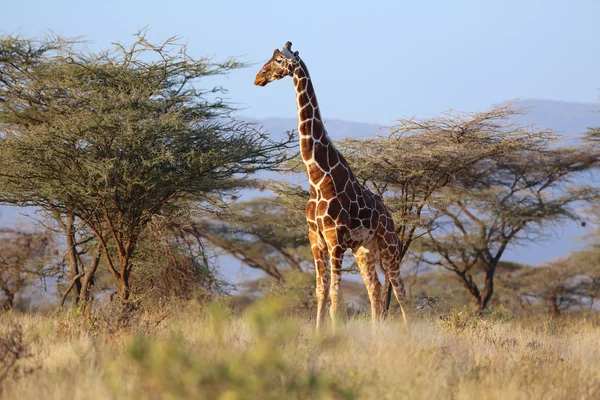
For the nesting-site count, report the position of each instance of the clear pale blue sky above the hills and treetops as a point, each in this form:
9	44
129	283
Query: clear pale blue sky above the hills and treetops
372	61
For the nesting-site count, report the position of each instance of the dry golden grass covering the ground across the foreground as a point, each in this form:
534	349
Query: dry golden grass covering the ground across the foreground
212	353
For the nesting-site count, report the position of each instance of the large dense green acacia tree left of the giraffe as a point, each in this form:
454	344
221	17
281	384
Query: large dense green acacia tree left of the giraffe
117	137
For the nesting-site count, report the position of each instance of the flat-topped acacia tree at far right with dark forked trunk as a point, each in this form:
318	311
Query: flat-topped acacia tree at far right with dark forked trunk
525	194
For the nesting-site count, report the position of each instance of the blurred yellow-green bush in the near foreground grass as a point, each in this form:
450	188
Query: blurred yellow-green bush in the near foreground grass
170	368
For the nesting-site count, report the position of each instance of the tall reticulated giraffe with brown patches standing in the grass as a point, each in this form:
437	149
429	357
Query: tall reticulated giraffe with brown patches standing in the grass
341	213
